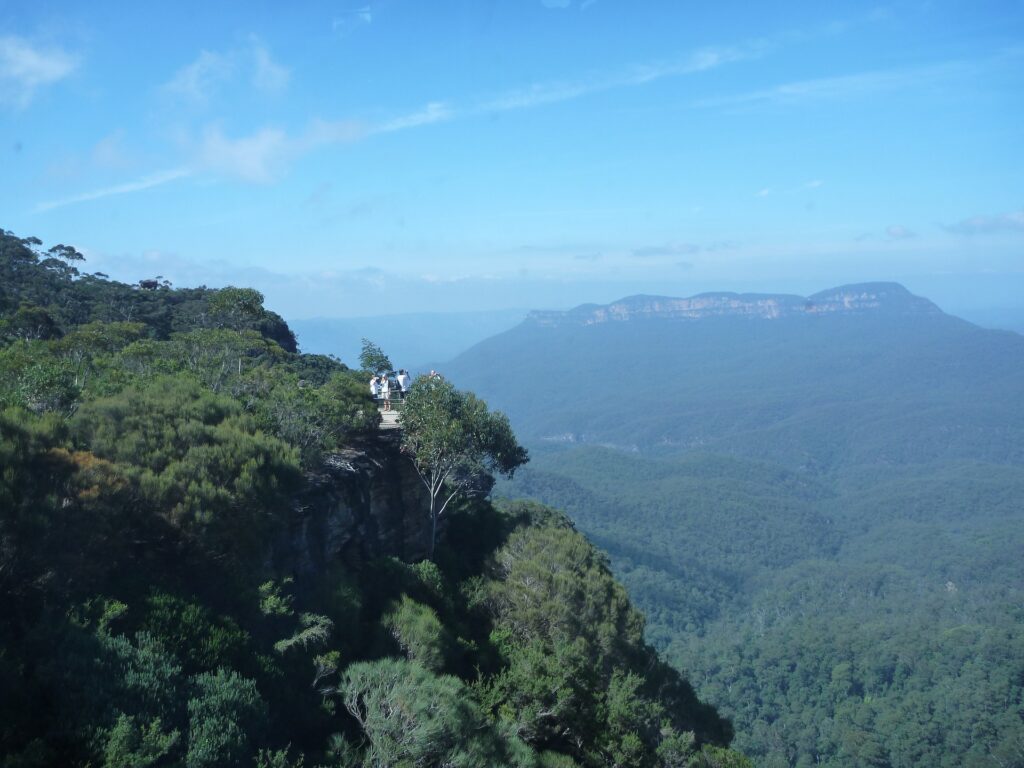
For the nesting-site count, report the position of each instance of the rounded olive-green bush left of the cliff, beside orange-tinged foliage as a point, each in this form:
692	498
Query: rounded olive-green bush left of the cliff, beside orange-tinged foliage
198	459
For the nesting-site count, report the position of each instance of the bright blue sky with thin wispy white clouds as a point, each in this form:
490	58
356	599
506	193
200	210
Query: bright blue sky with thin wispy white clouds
354	159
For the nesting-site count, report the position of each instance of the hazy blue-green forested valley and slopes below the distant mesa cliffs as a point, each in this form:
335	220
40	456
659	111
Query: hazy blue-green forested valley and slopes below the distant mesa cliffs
821	518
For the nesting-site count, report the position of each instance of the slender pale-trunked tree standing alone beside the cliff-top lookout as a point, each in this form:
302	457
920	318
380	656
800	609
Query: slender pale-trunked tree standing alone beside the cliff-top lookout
455	443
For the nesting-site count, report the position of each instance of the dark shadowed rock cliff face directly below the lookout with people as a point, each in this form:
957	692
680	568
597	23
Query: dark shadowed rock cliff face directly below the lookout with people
366	502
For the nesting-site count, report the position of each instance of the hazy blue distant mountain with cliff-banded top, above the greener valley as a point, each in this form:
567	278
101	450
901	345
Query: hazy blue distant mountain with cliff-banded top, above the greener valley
822	378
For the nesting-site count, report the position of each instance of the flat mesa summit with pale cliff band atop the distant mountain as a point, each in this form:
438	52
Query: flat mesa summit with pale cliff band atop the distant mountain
864	298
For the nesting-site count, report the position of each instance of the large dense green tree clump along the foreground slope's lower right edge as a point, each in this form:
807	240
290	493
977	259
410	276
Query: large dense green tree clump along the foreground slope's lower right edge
577	670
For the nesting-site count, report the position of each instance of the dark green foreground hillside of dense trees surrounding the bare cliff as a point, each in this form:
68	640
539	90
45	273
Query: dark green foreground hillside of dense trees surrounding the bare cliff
152	443
